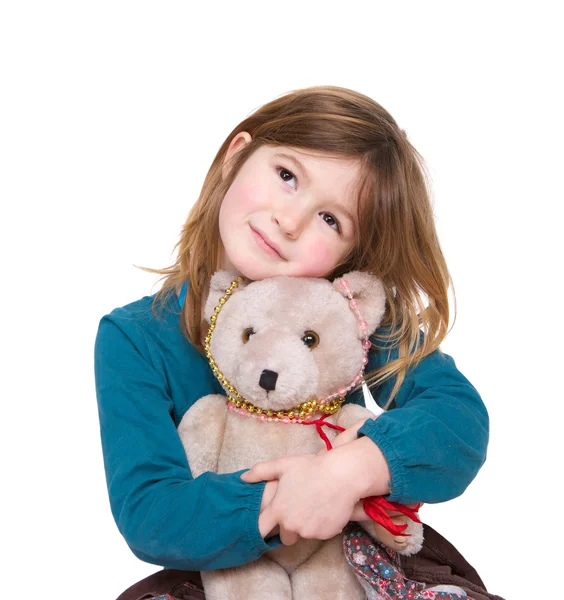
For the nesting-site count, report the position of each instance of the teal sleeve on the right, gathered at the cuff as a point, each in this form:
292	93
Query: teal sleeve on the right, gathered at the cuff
435	436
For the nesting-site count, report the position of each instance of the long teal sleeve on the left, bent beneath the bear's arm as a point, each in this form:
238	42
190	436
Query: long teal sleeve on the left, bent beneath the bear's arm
166	516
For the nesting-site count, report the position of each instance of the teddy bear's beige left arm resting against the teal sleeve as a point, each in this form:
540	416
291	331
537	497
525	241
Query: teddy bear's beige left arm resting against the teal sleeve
201	431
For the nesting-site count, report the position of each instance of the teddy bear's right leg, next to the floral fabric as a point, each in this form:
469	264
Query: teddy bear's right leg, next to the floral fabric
326	574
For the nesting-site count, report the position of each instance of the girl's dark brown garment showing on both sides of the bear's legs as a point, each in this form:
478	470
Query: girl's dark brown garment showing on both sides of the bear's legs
439	562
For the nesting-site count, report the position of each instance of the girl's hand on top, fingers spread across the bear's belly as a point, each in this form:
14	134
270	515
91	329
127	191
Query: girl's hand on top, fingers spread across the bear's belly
305	503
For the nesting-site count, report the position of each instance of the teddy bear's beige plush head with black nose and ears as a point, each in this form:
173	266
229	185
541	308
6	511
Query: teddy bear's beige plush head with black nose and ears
285	340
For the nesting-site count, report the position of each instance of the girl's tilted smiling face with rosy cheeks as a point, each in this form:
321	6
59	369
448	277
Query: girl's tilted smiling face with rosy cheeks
288	212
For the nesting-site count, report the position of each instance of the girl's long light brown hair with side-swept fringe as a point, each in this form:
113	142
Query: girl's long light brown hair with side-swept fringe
396	238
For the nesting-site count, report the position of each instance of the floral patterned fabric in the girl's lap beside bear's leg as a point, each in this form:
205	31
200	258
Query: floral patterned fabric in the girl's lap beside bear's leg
379	572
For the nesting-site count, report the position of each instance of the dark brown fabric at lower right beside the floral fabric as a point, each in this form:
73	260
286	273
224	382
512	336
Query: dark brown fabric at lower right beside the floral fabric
439	562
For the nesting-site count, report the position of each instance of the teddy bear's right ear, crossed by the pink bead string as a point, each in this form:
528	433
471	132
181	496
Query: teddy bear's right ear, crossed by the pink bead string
369	295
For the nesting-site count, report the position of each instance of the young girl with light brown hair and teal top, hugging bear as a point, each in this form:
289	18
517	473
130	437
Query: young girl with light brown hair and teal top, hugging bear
318	182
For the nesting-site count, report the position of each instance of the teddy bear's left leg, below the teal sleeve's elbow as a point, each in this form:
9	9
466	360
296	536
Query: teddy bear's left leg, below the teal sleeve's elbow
262	579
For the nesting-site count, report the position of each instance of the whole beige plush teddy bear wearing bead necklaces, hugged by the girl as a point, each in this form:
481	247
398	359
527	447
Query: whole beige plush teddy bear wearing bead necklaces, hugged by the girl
286	350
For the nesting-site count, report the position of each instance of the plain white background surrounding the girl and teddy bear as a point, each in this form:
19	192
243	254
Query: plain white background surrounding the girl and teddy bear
111	113
